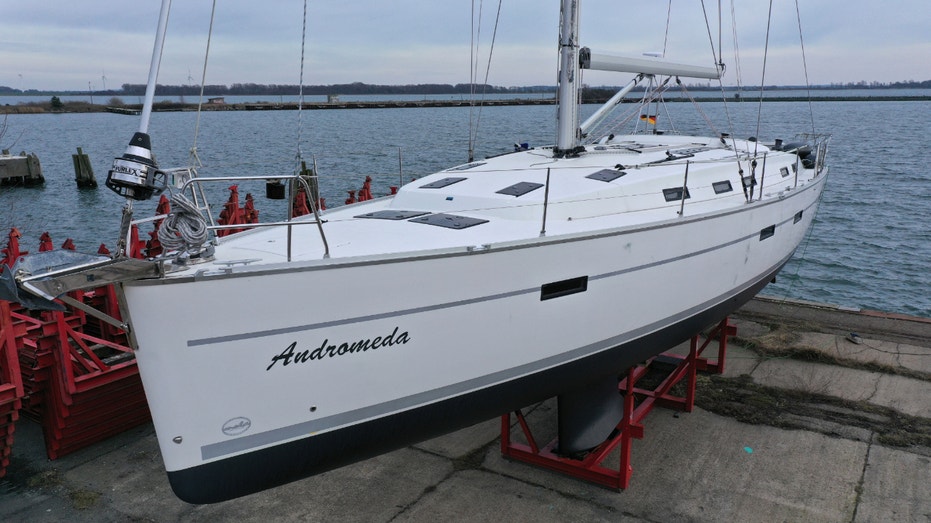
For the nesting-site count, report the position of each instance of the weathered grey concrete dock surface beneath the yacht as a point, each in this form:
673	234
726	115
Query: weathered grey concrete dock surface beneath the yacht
807	423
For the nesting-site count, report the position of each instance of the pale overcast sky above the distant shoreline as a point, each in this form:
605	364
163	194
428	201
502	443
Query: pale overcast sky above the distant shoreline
105	43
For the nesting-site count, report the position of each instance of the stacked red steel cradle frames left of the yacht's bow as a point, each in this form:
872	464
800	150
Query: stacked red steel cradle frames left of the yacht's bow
69	371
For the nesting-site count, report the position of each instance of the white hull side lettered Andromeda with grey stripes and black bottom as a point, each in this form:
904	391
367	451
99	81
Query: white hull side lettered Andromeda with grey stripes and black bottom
288	378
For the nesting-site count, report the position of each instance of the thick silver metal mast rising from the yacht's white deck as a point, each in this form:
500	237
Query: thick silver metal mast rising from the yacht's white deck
567	125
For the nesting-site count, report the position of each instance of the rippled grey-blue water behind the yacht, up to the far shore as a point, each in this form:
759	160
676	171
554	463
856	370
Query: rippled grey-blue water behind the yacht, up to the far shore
870	246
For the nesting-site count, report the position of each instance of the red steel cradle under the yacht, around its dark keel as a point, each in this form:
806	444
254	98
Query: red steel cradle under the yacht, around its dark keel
638	402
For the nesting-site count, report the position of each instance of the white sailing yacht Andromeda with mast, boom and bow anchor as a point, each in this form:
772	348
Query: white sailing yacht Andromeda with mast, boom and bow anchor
489	286
